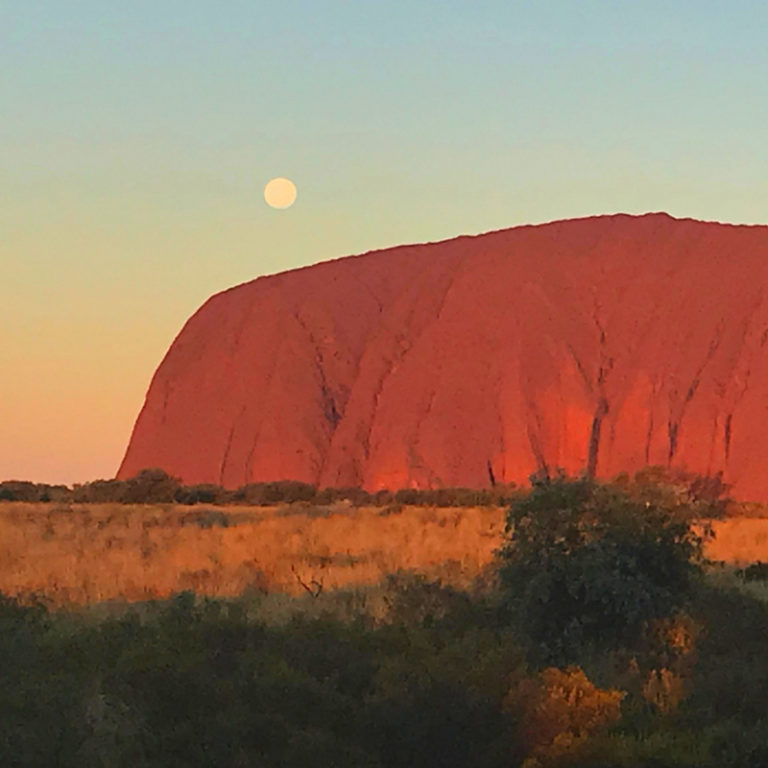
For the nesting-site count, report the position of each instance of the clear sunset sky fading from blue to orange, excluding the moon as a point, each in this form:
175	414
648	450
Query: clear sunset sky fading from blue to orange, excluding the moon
136	137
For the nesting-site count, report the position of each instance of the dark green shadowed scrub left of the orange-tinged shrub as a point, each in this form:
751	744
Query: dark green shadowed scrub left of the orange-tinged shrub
189	682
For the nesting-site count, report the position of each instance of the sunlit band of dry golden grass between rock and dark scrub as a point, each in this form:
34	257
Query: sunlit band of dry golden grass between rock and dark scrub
86	553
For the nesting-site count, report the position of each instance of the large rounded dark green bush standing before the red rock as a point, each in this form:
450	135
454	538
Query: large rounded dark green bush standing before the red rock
587	567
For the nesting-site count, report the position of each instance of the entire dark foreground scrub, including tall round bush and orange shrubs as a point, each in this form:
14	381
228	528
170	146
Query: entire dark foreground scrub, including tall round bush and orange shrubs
598	636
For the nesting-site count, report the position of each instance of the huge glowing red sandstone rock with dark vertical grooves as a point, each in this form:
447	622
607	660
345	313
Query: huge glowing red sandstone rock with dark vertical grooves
606	344
